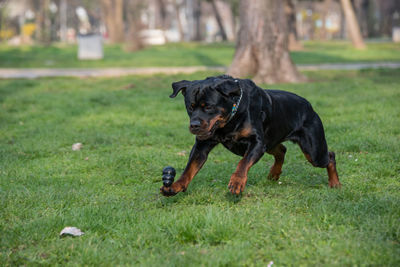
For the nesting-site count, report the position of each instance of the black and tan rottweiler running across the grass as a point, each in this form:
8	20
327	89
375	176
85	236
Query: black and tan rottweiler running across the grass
249	121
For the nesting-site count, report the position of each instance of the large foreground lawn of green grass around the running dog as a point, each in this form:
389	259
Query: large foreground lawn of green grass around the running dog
130	130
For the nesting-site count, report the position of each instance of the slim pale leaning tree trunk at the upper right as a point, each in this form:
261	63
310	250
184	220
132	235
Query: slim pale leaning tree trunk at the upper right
352	25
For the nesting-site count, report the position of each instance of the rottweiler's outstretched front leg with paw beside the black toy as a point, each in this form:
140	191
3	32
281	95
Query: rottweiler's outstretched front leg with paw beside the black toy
197	158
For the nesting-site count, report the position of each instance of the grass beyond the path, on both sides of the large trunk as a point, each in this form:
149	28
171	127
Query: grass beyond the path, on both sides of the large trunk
187	54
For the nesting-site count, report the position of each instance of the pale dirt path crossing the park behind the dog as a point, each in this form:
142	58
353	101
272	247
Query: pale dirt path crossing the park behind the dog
7	73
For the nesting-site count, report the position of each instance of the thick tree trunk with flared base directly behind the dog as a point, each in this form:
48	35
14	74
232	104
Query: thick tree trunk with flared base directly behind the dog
262	44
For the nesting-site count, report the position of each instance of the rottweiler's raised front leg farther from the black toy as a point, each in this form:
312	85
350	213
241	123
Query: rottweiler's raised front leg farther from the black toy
239	177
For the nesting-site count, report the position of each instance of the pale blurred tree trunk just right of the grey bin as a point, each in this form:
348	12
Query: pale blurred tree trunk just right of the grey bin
113	17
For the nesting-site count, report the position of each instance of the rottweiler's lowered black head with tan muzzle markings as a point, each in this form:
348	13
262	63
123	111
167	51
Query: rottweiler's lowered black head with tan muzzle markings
208	103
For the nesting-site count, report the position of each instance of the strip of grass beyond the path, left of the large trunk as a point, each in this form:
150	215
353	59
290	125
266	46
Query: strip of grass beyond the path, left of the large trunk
170	55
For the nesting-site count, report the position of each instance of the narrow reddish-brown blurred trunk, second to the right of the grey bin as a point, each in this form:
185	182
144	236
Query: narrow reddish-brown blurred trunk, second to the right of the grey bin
134	41
